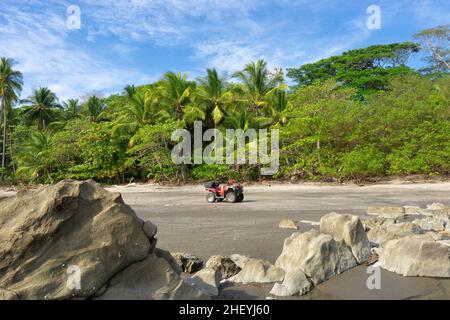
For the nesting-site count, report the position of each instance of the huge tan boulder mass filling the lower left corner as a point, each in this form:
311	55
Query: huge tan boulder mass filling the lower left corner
77	240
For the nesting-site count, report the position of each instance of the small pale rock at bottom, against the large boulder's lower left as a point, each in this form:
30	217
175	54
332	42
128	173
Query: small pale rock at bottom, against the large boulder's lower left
294	283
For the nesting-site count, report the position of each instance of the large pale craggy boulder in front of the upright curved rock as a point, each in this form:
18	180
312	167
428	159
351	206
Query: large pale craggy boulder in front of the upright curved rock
319	256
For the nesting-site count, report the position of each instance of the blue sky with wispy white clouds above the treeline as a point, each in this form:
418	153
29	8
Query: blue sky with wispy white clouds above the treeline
135	41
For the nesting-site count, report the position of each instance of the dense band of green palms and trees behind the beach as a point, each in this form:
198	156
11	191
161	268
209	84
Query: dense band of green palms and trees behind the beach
362	114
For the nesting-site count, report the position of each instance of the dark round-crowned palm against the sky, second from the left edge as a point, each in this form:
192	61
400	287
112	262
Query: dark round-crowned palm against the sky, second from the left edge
43	107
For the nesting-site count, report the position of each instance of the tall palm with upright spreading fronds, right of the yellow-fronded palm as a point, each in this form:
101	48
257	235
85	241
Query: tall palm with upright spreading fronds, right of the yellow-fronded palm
258	82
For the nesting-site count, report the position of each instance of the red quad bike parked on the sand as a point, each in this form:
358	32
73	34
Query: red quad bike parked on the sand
230	192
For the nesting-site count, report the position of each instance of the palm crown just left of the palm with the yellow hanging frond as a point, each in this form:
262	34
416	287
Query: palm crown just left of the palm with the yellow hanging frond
173	92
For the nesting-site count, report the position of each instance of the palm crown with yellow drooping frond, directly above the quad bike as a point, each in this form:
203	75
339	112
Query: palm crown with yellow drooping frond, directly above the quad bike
213	91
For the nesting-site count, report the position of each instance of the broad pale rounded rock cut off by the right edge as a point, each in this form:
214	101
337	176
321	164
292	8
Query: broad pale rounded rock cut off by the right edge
414	256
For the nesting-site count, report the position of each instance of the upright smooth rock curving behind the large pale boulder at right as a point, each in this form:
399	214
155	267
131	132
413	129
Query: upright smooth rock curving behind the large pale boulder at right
348	228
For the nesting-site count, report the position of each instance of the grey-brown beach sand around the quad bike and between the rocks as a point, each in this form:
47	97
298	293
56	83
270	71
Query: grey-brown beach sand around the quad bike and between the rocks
186	223
